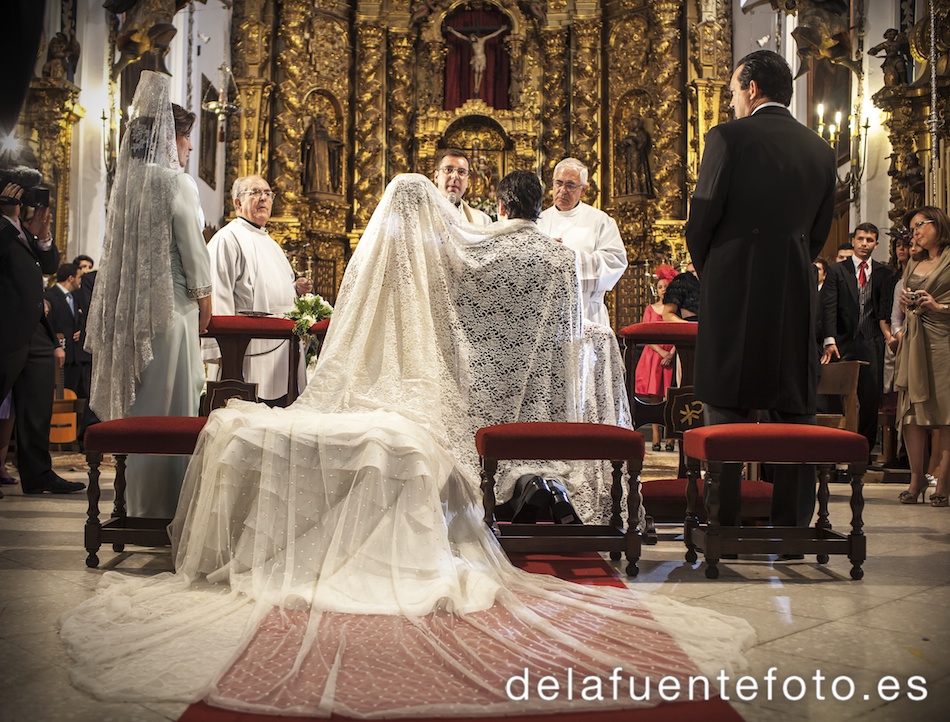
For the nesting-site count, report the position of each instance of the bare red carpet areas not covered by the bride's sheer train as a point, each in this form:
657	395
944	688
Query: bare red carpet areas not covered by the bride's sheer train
587	568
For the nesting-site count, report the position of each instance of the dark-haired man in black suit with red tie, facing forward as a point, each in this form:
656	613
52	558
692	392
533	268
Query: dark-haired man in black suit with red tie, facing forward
851	303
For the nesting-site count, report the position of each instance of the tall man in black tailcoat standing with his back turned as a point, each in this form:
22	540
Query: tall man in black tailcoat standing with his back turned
759	217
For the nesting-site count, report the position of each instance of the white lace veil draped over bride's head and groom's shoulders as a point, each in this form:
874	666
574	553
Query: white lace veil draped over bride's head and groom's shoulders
451	325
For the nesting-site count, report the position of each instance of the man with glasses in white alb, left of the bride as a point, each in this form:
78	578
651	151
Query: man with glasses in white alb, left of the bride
250	272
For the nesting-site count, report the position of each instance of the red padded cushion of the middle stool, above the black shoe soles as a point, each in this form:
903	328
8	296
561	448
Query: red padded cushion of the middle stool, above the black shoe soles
559	440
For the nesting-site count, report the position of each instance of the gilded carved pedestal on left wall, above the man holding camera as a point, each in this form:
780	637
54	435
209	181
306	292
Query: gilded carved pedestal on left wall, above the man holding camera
50	112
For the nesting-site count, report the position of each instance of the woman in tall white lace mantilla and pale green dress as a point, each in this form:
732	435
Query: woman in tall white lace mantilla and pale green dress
153	290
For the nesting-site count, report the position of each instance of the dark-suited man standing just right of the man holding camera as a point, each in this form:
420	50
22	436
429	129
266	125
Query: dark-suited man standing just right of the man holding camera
66	319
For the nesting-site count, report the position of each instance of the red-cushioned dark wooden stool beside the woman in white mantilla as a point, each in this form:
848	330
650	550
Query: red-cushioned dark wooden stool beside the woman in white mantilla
172	435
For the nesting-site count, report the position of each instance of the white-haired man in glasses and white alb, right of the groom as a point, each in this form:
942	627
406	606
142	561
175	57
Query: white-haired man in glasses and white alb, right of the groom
590	233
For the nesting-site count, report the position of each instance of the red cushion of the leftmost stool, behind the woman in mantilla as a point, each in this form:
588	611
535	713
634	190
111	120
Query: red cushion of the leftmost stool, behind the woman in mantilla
146	435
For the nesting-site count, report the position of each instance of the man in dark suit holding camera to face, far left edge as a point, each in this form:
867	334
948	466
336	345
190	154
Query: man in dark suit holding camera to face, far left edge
29	352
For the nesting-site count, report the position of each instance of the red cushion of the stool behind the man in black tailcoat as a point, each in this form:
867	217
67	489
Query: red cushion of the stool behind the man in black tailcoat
780	443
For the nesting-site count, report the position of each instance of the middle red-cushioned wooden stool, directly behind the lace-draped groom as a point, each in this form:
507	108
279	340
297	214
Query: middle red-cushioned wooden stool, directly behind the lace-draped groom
568	442
